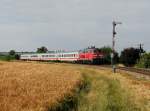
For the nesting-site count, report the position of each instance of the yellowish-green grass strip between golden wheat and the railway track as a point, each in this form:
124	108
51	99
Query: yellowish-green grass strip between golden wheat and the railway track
105	94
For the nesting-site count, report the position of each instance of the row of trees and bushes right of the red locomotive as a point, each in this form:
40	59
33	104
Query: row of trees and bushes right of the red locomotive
135	57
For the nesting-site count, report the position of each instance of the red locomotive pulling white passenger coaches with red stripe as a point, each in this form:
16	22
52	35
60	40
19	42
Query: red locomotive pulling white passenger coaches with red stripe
87	56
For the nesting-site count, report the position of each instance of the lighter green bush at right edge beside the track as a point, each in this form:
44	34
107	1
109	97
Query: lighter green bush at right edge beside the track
144	61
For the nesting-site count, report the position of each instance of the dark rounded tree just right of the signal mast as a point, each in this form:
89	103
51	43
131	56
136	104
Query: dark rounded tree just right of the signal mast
129	56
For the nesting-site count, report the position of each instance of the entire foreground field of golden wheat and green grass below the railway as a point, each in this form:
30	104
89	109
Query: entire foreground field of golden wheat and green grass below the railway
32	86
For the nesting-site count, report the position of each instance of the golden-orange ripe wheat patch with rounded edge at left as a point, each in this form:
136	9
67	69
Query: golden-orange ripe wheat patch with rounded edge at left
34	87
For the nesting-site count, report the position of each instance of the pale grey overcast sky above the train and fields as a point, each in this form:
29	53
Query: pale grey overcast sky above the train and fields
26	25
